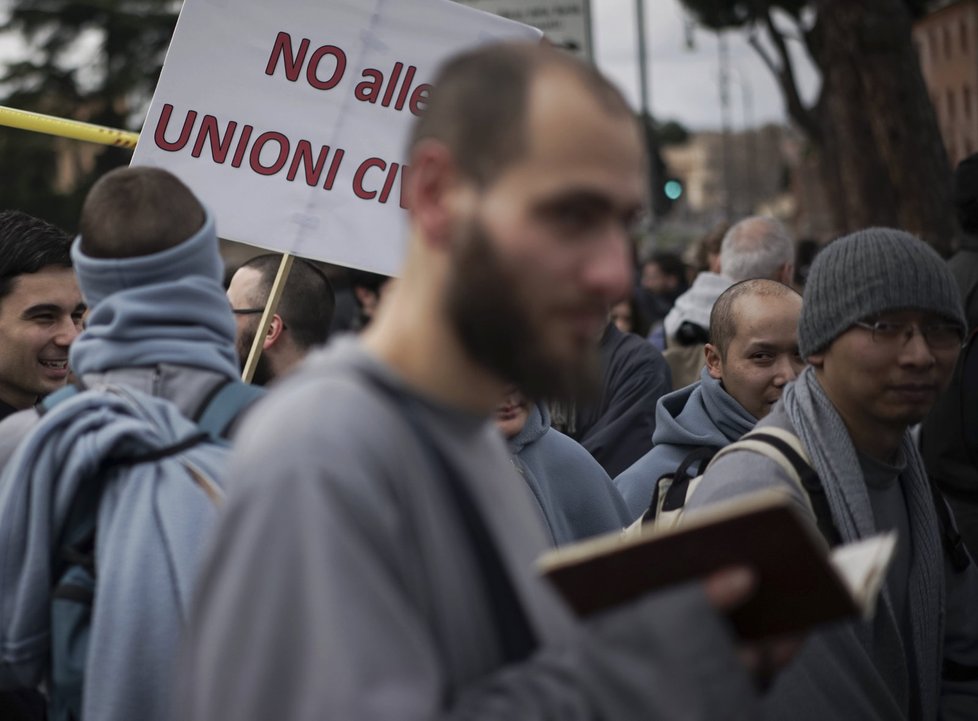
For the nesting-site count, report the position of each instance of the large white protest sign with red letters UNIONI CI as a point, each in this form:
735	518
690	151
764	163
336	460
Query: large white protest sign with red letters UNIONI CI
289	119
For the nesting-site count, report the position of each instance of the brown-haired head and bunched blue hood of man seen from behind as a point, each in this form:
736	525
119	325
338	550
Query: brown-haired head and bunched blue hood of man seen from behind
148	265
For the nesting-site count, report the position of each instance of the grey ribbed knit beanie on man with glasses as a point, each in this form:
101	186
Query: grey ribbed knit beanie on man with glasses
869	272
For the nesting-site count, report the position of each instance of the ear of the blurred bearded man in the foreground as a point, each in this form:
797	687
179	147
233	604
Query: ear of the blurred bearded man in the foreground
432	180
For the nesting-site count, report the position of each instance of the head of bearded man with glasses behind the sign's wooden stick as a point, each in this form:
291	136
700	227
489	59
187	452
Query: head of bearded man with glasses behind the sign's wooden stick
302	319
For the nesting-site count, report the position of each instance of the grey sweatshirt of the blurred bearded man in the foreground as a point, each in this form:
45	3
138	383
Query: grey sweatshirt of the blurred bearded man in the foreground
343	585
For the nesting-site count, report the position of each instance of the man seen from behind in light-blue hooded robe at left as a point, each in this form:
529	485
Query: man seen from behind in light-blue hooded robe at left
148	266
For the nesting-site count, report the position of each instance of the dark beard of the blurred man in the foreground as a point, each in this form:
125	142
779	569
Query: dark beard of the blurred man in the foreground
494	322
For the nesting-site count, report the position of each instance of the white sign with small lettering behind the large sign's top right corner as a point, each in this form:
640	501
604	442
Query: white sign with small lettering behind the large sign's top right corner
566	23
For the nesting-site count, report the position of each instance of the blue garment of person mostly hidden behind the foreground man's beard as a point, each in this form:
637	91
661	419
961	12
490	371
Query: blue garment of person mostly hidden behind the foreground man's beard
572	491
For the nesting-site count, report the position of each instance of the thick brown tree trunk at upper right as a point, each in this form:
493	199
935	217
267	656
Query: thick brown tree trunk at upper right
880	125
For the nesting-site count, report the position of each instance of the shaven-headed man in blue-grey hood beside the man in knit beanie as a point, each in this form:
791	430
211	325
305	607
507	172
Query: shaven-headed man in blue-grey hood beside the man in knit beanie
751	356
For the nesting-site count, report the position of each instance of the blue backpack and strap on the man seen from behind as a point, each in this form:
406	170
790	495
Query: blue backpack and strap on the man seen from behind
75	573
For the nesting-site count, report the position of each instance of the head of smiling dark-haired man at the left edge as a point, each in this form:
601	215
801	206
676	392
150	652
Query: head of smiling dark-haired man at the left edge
41	310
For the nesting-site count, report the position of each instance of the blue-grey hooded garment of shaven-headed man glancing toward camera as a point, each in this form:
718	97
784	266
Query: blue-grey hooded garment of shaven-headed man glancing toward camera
702	414
